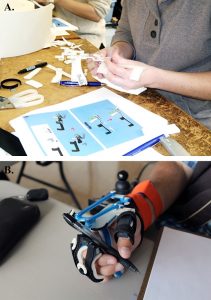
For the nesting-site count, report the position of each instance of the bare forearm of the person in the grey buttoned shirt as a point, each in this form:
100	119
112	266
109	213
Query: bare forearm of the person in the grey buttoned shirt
194	85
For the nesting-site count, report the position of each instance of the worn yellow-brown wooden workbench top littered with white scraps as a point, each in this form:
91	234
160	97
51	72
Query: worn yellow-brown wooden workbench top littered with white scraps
194	137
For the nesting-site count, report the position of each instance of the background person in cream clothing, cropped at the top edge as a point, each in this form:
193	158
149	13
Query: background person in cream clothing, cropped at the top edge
87	15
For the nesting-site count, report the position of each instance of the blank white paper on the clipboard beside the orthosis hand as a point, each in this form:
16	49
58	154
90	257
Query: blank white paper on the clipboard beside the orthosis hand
182	268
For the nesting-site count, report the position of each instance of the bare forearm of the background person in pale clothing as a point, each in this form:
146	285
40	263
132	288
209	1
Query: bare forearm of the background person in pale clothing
83	10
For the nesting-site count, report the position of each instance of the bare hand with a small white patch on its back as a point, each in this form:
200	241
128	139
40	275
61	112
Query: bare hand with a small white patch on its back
129	74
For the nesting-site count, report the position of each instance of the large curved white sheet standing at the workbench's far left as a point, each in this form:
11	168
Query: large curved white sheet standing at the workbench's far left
24	32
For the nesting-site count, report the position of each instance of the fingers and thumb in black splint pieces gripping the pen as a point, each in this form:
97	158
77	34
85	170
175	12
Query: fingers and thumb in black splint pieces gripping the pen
123	233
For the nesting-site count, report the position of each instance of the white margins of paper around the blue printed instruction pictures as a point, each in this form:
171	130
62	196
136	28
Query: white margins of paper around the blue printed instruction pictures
152	124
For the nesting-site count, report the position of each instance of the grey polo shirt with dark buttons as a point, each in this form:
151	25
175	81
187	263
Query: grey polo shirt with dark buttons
174	35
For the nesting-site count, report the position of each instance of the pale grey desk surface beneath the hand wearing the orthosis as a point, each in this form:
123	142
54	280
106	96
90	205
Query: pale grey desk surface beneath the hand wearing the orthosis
41	267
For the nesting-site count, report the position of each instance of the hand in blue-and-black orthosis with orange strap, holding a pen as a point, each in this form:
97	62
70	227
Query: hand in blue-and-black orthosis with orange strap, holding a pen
110	235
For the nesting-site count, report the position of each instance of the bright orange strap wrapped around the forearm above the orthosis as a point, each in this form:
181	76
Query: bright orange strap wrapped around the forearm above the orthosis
146	188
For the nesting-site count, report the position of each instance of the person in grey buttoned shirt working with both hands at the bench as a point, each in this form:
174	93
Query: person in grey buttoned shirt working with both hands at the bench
168	45
